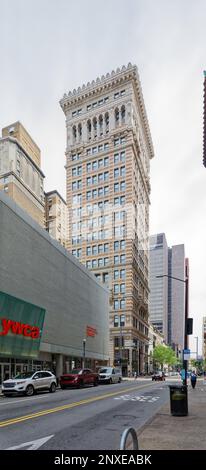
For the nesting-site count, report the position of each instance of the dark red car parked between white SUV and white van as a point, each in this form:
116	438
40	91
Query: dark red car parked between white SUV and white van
78	378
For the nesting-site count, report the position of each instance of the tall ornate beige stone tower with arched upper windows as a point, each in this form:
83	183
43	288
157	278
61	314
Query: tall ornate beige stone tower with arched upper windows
108	154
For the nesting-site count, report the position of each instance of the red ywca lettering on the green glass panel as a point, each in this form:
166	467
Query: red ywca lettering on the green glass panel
19	328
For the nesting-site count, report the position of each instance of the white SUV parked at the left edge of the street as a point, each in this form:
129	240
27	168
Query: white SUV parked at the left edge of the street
29	383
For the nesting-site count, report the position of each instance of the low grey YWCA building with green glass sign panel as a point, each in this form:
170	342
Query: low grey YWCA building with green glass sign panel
52	303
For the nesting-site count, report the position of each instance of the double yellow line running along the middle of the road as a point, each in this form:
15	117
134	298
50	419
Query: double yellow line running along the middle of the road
20	419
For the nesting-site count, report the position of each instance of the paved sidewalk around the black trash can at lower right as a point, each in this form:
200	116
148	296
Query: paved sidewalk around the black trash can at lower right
165	431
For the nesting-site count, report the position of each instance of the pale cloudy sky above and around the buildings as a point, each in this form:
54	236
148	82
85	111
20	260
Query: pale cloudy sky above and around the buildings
48	47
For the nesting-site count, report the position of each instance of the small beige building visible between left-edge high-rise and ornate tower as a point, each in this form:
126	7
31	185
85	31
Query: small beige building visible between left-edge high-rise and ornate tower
56	216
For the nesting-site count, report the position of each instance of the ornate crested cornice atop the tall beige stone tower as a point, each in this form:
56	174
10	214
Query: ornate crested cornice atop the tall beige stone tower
104	84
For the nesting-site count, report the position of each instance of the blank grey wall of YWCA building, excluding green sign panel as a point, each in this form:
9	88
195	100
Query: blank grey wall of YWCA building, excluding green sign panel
37	269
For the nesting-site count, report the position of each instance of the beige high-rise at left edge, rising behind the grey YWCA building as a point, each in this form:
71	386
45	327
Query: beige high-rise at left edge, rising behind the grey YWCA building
21	177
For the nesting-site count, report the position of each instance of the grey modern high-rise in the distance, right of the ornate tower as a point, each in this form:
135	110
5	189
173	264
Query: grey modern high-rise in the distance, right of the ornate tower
167	295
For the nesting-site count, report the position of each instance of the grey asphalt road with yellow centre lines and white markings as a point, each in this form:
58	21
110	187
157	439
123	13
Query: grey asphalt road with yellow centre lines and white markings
90	418
